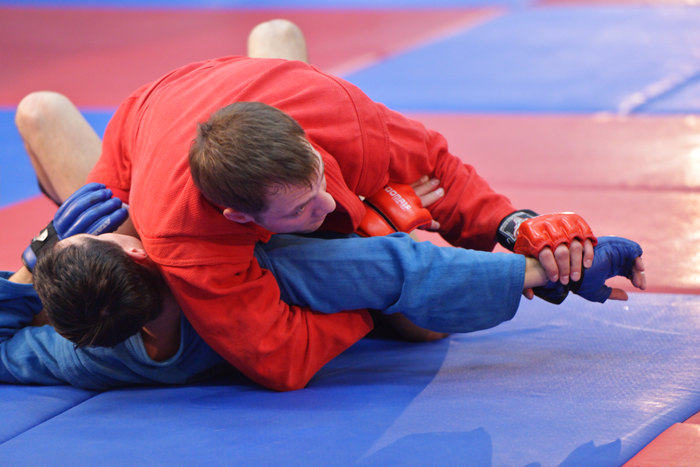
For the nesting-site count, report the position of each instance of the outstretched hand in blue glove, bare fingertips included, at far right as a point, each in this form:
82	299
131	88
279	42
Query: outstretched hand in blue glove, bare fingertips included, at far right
614	256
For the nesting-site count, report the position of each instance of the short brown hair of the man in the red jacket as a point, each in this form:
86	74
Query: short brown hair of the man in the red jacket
248	150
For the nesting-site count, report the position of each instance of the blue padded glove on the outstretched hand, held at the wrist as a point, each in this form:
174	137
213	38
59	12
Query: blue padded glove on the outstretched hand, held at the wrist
614	256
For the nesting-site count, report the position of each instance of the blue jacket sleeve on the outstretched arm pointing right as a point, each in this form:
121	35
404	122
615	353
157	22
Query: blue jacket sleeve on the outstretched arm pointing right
442	289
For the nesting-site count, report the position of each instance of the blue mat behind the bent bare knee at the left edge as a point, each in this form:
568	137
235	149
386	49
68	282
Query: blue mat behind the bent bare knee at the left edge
17	179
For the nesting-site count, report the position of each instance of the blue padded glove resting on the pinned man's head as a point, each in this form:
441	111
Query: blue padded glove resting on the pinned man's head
90	210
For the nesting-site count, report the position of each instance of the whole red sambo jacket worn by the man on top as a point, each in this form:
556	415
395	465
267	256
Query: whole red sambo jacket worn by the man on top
208	261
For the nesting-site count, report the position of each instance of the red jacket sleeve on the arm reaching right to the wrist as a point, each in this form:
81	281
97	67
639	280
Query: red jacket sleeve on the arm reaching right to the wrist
373	145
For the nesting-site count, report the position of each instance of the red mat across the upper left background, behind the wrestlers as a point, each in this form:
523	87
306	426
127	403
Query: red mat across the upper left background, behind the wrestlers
99	56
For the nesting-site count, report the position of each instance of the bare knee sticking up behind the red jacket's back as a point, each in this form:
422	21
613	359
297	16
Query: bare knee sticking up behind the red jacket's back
278	38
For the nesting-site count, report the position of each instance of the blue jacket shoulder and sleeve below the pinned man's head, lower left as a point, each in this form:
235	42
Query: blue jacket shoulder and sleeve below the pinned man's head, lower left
38	355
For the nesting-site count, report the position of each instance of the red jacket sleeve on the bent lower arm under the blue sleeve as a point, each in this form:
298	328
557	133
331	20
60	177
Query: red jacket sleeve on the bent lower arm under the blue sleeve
238	308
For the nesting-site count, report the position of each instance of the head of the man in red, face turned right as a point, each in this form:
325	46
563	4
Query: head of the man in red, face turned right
255	162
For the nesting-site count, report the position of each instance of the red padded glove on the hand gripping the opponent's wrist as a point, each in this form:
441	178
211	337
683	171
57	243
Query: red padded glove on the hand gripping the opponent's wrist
551	230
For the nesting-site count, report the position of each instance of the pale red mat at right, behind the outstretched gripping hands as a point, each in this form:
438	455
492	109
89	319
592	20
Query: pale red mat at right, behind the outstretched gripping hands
636	177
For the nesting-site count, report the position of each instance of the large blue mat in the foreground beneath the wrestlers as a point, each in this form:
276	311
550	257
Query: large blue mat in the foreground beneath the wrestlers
576	385
